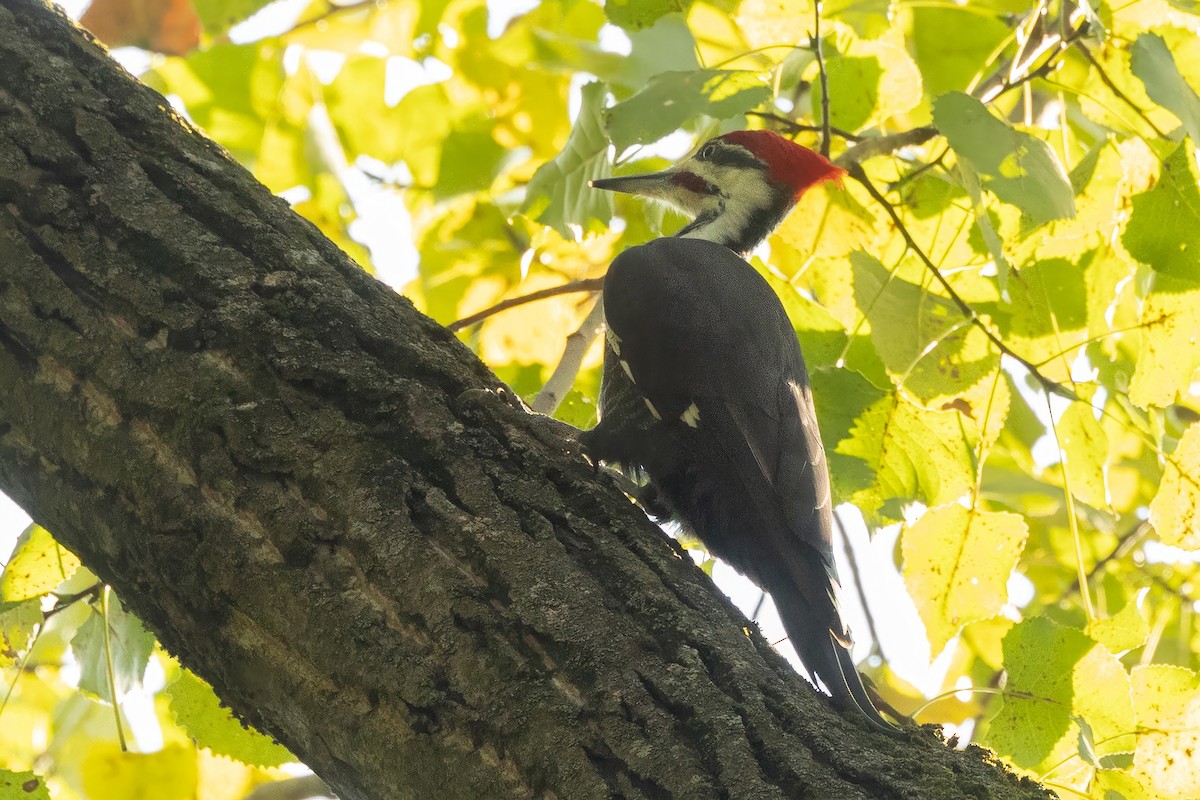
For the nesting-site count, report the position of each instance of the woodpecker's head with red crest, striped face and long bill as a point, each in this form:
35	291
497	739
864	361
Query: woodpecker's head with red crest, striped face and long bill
739	187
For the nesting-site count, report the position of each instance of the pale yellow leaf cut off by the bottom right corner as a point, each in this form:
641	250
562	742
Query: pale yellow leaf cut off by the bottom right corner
1167	706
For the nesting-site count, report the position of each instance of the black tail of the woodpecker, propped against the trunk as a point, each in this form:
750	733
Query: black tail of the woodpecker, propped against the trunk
826	658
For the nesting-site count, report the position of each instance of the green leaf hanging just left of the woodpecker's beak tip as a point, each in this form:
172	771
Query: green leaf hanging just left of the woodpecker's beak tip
559	195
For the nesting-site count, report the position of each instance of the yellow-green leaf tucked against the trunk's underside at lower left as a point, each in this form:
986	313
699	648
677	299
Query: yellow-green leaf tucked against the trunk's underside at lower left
200	713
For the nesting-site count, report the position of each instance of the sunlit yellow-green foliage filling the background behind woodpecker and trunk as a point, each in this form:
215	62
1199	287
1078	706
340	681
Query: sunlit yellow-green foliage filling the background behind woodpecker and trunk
1000	309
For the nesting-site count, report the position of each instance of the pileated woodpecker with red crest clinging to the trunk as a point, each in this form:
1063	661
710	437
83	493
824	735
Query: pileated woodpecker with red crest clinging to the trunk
706	394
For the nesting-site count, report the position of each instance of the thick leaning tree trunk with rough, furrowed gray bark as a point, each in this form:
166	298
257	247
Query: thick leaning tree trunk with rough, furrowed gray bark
291	476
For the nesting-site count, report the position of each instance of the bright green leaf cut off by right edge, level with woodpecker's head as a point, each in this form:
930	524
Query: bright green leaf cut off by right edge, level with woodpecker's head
1165	225
